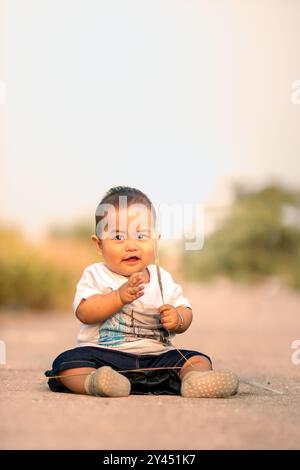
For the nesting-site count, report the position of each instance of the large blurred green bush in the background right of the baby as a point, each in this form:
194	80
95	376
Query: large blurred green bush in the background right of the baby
253	241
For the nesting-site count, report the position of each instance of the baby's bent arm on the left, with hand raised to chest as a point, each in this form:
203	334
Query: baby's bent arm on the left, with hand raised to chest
97	308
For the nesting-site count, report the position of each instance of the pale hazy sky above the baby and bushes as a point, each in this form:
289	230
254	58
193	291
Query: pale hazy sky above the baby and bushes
176	98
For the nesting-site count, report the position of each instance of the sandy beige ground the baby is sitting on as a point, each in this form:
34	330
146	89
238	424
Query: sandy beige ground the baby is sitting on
247	329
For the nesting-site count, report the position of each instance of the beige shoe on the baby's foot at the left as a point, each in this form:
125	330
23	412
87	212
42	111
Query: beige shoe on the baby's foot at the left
106	382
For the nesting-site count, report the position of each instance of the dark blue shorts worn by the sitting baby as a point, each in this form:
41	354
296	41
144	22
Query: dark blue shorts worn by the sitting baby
158	382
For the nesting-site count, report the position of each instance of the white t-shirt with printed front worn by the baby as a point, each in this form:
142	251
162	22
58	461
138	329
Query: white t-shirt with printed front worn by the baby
136	327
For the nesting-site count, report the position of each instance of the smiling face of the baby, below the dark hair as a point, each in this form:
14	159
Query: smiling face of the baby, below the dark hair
127	243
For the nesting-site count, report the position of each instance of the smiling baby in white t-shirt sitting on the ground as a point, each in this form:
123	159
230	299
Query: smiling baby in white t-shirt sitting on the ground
129	310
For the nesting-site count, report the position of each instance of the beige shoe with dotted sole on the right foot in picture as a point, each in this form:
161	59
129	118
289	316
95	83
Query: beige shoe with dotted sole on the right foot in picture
211	384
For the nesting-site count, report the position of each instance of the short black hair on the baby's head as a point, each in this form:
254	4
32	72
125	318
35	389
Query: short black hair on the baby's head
133	195
